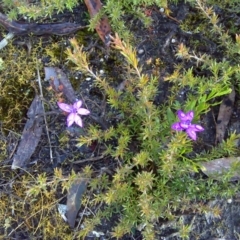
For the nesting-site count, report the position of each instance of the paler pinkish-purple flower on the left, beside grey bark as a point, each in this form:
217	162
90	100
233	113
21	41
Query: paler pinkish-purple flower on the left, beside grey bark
73	111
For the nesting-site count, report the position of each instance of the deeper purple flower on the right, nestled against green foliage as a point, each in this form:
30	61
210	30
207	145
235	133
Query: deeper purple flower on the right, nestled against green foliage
186	125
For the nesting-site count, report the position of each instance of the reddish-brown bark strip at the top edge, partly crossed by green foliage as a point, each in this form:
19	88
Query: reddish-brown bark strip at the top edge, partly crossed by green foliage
103	27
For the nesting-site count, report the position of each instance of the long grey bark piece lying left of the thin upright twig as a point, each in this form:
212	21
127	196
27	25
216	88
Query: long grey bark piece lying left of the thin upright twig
31	134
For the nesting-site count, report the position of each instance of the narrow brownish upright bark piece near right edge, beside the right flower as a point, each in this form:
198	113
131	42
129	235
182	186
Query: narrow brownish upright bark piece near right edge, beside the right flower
224	115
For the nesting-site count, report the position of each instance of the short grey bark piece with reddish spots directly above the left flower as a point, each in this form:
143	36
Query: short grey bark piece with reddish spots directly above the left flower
60	83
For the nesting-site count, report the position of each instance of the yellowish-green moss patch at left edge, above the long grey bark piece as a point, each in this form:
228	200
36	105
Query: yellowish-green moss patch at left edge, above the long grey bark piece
15	81
